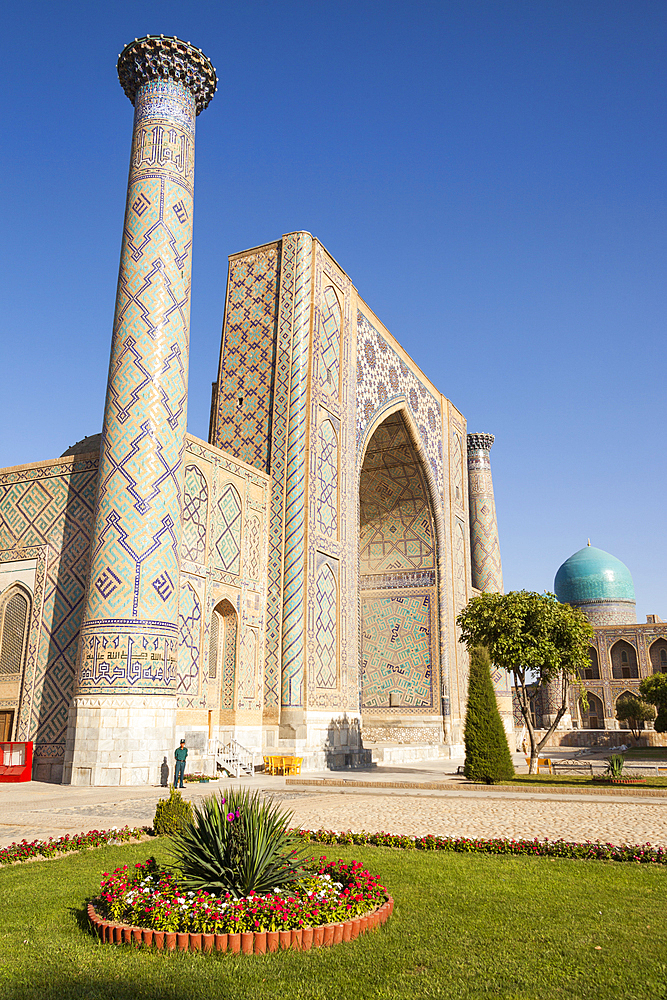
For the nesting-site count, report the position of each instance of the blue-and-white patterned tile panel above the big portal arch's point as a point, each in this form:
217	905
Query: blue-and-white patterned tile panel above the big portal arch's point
382	376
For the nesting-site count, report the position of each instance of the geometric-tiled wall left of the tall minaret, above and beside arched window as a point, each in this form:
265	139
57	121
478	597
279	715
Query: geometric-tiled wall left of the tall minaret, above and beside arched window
48	513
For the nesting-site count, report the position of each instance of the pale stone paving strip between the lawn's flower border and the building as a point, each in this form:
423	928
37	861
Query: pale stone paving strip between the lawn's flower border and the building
468	814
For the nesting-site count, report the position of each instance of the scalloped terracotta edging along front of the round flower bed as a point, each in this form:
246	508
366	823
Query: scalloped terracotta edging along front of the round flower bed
244	942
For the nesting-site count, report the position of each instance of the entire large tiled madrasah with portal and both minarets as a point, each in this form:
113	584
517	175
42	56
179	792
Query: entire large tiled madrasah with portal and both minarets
288	584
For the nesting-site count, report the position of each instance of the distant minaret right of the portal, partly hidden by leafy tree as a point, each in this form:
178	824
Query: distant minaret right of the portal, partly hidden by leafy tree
487	570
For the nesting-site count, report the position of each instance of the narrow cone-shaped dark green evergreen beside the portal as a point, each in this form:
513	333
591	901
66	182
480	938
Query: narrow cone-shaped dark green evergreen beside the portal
488	757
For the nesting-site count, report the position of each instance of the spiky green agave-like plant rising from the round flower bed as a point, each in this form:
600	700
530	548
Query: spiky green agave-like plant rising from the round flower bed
237	843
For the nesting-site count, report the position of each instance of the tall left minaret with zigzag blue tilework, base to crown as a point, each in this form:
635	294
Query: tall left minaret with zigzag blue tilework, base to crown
123	715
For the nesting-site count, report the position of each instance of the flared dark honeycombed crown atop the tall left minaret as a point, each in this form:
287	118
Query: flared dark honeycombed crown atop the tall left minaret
157	58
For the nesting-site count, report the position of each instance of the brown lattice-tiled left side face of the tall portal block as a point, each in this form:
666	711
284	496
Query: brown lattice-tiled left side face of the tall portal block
242	420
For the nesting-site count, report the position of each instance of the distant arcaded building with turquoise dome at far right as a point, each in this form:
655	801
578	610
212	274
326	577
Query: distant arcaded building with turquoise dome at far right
623	651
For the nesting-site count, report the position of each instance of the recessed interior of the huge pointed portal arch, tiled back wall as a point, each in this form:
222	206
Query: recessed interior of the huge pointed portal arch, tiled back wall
398	587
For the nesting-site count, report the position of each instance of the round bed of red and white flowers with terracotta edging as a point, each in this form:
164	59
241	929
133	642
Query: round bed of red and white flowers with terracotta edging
148	904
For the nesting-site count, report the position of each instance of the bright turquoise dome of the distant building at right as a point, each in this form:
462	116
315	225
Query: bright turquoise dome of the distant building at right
593	575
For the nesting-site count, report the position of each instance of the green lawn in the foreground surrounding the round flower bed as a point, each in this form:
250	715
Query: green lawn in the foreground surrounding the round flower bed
464	926
